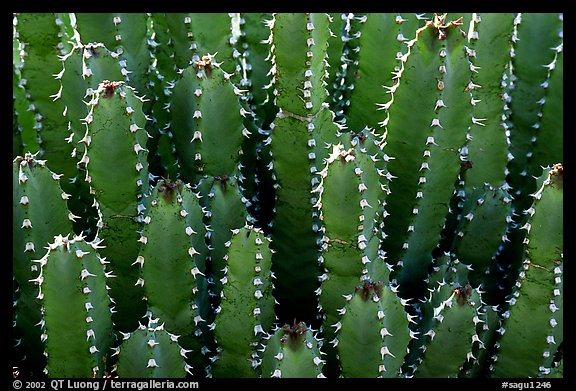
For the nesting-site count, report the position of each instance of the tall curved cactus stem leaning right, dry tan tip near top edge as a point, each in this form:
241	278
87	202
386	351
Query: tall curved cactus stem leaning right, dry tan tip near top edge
431	161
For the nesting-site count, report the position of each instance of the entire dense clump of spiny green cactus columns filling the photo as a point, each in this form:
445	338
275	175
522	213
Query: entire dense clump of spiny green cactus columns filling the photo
288	195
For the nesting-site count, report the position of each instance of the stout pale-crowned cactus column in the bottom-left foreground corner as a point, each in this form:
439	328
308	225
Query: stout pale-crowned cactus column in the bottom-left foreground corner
76	322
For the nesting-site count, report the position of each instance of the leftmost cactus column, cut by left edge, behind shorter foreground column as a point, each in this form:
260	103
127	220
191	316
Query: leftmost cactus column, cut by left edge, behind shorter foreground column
40	212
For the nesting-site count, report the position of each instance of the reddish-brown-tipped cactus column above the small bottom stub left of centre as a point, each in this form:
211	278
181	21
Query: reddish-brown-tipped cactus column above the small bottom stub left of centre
170	243
